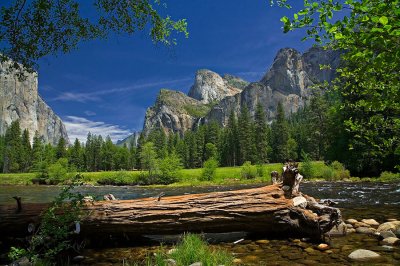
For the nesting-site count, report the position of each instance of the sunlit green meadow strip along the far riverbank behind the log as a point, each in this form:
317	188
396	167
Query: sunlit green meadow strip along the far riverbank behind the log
192	177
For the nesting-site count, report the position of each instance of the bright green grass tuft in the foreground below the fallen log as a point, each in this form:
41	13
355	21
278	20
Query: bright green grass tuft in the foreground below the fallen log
193	248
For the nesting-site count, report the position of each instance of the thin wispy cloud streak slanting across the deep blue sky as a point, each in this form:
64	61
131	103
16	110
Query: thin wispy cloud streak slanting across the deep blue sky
96	95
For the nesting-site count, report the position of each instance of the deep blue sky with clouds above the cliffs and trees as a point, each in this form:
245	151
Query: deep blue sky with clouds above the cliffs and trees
105	86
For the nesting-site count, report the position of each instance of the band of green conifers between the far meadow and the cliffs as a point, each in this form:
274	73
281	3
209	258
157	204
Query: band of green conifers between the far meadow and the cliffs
315	132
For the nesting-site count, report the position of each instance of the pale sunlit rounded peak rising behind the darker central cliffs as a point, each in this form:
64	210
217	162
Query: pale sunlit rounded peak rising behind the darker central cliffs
209	87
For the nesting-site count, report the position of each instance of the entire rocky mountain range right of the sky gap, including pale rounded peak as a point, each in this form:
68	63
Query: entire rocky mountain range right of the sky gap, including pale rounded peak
212	97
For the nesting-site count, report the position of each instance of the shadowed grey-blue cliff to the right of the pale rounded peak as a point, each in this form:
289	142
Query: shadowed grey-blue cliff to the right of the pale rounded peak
289	81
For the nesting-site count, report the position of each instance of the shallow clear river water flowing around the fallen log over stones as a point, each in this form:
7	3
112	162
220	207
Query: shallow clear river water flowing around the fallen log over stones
380	201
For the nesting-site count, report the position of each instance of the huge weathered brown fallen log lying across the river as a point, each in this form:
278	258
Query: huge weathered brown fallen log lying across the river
261	210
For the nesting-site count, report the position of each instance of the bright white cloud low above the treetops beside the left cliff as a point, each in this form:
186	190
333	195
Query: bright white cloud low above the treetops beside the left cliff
79	127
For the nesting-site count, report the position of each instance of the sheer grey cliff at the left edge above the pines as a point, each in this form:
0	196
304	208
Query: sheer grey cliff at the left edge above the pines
20	100
